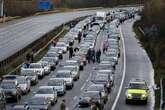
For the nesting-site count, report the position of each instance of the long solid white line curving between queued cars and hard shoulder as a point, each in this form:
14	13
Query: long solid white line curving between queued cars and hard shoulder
124	70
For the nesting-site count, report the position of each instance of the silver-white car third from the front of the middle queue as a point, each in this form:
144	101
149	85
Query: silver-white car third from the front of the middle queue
58	84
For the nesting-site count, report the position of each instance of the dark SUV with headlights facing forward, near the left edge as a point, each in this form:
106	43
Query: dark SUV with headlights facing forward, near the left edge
11	90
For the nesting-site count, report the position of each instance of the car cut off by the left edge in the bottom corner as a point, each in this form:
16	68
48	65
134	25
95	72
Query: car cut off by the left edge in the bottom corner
2	100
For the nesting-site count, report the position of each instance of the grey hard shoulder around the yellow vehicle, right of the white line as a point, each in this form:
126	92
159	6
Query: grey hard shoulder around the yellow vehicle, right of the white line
138	65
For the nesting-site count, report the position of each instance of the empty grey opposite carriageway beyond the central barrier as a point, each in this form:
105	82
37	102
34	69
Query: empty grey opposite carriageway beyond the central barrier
15	36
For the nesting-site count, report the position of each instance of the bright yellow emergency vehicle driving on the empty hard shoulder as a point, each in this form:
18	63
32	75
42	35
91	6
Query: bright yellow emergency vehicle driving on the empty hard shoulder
137	90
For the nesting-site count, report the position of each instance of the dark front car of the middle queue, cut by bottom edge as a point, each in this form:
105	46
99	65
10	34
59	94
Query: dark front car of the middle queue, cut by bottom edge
39	103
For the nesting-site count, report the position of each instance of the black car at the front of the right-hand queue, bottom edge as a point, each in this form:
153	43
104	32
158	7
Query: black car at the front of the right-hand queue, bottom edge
89	98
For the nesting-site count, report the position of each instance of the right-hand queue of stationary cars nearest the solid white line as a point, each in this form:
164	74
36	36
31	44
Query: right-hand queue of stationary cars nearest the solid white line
102	80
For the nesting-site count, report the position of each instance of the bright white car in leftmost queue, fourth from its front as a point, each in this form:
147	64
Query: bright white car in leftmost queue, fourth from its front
37	67
